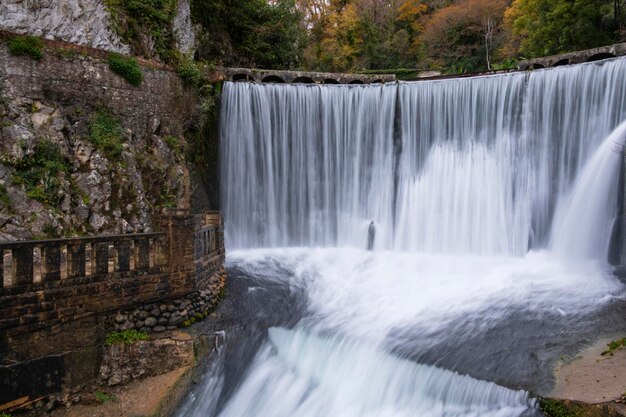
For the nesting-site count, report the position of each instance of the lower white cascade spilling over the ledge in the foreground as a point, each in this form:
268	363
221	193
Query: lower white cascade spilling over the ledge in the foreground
299	374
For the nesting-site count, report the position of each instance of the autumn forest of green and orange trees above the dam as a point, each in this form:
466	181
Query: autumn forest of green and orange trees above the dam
404	36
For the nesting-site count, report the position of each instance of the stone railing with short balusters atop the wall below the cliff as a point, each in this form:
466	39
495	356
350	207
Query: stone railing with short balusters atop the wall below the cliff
40	261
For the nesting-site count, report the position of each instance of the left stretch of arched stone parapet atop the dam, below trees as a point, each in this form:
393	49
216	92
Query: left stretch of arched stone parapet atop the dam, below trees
295	77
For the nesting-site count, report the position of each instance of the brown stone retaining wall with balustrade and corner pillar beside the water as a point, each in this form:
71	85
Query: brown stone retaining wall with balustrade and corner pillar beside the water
57	305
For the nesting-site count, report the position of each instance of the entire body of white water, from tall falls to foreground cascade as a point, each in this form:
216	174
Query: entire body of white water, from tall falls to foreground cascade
493	200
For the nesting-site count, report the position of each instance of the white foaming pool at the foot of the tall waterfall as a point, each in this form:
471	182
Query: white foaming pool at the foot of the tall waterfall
369	294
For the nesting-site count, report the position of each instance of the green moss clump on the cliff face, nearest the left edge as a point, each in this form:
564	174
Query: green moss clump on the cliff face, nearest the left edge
42	173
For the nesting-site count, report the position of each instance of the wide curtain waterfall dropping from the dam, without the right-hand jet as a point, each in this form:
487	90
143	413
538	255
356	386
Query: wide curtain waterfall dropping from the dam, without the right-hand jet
465	166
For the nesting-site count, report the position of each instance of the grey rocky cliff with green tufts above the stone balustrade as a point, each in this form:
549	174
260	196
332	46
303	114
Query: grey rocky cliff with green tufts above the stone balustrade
82	151
